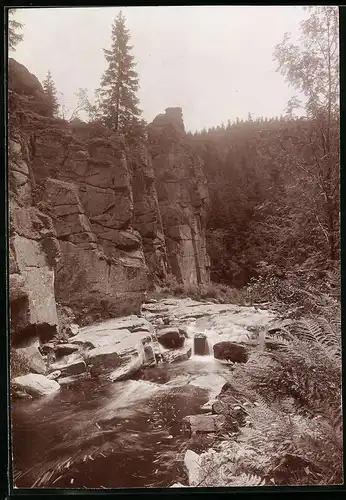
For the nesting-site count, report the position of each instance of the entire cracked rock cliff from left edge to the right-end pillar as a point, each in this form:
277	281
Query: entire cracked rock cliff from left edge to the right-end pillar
93	223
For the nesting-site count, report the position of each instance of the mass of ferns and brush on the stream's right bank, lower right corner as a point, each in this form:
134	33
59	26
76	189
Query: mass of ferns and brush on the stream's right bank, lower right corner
294	431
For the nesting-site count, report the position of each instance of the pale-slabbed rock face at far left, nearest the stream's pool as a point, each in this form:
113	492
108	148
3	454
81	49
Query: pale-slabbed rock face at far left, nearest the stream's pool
33	253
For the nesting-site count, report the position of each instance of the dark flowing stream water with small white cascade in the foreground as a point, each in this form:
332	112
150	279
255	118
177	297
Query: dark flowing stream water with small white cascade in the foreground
112	435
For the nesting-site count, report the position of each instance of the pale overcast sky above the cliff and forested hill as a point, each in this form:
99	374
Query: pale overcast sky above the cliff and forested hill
213	61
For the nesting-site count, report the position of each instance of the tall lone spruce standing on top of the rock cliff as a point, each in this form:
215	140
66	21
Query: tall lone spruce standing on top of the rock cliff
118	101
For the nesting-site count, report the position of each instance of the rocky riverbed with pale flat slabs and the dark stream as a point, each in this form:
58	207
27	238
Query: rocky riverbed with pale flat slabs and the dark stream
166	404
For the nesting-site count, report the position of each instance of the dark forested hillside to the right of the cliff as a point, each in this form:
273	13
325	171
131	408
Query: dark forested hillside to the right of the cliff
271	204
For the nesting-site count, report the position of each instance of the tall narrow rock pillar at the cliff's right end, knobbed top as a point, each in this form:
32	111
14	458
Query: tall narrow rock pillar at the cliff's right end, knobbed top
182	197
